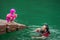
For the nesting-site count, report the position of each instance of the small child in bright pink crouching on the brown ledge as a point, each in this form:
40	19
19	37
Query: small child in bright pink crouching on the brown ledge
11	16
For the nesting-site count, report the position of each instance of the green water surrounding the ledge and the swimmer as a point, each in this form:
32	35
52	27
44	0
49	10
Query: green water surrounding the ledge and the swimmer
33	13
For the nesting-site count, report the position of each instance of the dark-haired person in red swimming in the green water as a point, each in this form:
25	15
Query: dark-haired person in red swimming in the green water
44	32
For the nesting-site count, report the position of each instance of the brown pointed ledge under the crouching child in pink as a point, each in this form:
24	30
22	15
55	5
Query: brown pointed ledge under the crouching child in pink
10	27
